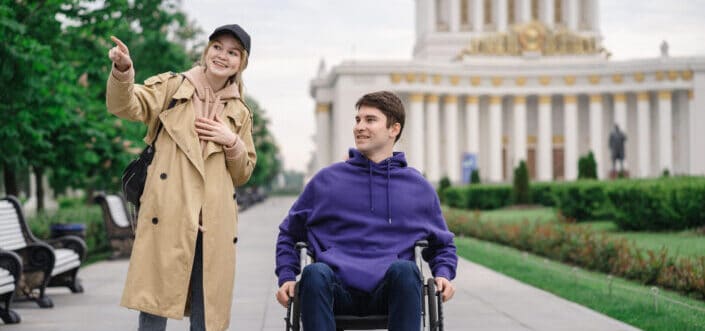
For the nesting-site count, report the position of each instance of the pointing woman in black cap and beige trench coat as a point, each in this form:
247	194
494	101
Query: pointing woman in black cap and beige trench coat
183	257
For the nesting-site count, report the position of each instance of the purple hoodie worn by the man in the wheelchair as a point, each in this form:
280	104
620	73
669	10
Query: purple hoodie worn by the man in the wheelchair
359	216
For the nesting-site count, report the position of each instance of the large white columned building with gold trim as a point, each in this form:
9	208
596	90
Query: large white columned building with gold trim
511	80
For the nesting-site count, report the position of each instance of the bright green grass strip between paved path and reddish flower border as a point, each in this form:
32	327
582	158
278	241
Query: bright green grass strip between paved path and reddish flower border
629	301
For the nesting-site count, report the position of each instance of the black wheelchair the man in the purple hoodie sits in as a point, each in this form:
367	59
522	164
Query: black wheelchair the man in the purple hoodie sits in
431	303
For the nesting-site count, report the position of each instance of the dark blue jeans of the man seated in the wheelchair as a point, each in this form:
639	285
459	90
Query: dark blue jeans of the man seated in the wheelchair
398	296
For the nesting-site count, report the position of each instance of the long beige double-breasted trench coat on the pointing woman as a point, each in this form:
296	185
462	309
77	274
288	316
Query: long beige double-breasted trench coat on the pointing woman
181	183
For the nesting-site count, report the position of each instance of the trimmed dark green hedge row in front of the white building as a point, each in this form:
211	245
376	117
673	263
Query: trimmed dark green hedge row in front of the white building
652	204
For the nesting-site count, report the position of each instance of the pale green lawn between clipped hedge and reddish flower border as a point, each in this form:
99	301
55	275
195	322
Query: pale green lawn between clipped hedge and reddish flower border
678	244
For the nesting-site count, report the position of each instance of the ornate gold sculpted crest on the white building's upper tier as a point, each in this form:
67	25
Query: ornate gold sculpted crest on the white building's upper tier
533	37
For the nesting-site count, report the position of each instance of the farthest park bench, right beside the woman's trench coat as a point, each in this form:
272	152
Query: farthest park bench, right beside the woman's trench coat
117	218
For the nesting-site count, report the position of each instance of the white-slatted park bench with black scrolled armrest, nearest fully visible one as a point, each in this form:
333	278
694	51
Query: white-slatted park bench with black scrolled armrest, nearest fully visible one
53	263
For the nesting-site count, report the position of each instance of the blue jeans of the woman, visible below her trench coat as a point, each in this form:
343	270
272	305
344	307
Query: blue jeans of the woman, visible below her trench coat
149	322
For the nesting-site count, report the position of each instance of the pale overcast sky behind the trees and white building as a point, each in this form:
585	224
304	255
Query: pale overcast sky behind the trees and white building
289	38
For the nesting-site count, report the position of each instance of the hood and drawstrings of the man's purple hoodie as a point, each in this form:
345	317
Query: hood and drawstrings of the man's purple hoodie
384	168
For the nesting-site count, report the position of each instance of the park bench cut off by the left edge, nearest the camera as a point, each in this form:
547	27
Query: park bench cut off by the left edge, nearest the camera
10	273
